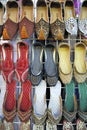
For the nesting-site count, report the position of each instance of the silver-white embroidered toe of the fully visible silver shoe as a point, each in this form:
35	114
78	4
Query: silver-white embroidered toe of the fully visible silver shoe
71	26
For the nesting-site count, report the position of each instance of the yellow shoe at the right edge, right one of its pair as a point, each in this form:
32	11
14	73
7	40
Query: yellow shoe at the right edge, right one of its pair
80	73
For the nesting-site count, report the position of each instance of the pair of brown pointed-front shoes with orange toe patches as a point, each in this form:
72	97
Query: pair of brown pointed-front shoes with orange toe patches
17	20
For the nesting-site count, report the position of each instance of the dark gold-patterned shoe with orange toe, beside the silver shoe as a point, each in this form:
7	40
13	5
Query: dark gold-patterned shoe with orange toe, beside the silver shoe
56	21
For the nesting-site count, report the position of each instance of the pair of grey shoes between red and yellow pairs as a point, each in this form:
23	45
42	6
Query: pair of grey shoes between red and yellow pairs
50	65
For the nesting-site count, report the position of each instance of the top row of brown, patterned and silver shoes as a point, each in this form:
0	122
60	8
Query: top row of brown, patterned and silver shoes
24	20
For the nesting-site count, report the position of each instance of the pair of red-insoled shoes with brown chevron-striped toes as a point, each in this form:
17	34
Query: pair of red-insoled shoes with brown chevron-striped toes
24	105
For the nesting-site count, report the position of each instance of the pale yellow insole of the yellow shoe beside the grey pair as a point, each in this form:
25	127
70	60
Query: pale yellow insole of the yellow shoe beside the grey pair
64	59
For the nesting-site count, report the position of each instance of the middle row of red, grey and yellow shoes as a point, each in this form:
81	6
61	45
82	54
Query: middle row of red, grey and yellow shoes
44	63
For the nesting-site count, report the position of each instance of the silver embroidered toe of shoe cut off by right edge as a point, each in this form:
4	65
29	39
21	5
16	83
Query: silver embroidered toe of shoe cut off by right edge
83	26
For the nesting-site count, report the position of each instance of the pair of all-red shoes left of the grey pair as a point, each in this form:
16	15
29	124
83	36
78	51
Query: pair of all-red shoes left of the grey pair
22	63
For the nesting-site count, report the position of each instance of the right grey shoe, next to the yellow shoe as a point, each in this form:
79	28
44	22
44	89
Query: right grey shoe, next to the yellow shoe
50	64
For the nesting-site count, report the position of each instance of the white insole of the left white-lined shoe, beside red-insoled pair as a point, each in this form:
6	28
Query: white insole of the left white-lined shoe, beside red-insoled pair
39	103
